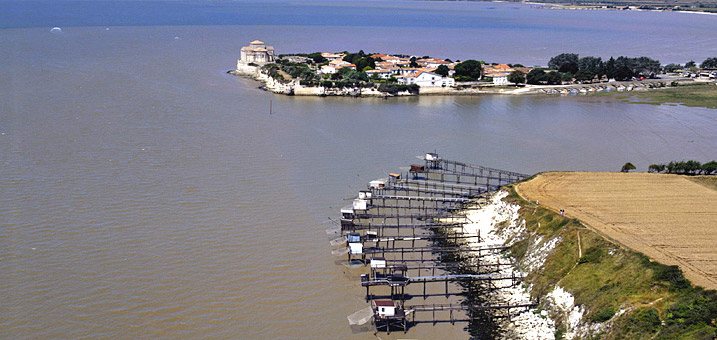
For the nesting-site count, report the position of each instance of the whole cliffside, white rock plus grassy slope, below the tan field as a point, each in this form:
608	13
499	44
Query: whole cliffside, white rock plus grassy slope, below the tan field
587	286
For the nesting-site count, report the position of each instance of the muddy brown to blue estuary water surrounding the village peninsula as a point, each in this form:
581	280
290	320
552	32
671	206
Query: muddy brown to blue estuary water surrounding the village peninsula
145	193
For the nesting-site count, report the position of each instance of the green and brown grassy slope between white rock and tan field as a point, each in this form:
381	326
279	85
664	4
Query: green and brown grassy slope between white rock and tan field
660	302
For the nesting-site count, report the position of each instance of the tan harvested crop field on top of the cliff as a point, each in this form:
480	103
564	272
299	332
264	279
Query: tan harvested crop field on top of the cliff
669	218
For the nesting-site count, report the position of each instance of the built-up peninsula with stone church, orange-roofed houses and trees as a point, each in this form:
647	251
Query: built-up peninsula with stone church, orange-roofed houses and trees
383	75
